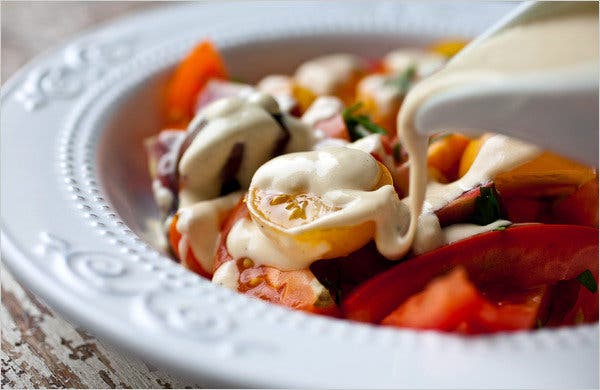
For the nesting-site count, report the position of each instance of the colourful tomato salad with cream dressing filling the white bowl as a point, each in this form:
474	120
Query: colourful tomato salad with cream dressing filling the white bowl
292	190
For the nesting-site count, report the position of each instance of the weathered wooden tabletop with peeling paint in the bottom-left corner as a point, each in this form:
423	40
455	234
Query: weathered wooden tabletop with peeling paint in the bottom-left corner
42	350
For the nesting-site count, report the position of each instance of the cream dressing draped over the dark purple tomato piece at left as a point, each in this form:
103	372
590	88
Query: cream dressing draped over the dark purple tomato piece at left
234	121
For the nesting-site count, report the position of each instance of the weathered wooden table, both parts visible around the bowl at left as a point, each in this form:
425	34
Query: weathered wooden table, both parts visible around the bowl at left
39	348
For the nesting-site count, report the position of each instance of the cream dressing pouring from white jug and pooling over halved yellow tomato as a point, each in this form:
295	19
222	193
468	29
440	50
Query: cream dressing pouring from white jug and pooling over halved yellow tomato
549	45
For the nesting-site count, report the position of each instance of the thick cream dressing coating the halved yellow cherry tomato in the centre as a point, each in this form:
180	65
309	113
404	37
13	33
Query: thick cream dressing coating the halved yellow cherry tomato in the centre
344	179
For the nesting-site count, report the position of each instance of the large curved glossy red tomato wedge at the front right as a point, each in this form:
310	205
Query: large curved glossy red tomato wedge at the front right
519	257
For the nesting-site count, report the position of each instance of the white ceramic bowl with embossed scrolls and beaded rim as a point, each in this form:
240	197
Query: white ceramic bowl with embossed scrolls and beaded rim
77	212
